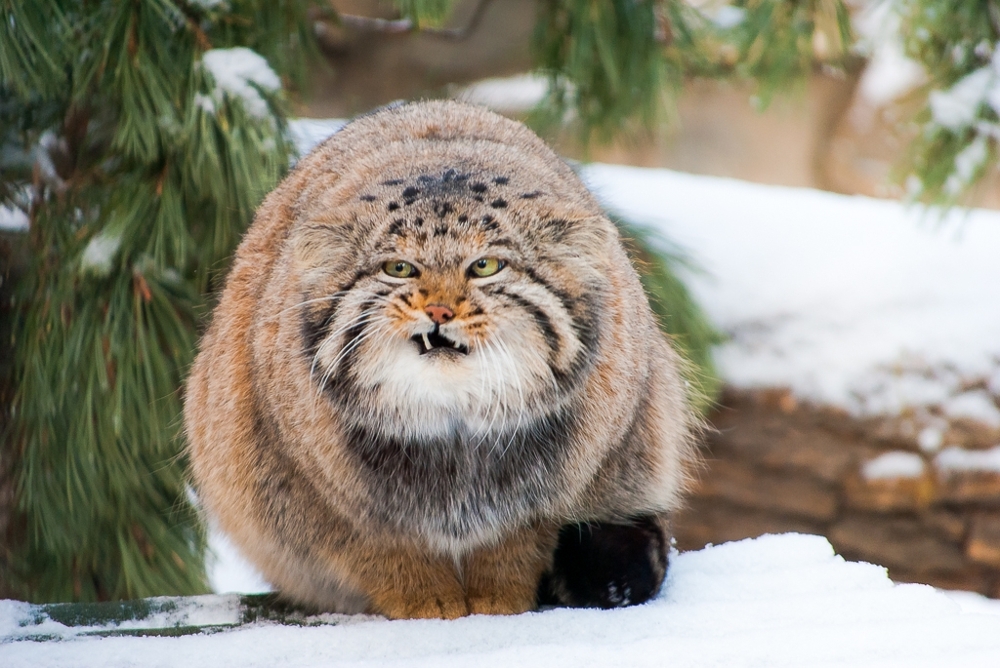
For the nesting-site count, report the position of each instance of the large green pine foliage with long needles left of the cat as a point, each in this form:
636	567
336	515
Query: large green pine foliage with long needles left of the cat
148	171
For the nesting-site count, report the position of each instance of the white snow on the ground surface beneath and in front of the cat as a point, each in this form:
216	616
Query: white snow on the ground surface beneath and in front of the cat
773	601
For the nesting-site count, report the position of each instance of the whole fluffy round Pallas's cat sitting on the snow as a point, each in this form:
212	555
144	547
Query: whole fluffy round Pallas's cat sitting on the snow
433	385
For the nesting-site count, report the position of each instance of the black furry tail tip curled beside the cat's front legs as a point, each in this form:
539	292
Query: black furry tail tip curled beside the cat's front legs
606	565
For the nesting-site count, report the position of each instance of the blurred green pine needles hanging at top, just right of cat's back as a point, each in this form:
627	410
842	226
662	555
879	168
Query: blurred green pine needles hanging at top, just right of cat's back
616	65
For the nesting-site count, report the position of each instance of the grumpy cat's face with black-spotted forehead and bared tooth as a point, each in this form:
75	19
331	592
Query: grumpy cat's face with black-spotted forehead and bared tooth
449	299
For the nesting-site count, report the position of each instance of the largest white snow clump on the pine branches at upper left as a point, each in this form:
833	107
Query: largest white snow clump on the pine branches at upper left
241	73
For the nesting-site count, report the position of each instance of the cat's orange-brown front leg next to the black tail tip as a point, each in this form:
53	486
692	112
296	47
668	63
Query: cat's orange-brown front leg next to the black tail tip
502	579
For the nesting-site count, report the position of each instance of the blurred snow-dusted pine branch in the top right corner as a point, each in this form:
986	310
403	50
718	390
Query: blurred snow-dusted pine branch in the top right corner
959	46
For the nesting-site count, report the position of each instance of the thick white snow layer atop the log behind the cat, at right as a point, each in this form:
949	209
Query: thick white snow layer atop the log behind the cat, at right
848	301
